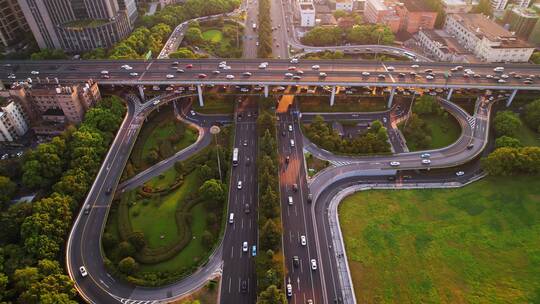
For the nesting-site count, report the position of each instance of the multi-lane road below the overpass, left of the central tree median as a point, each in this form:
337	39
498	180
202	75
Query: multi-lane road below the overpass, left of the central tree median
239	282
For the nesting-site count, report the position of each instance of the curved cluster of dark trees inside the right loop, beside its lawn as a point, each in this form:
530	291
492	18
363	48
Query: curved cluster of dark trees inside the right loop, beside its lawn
374	140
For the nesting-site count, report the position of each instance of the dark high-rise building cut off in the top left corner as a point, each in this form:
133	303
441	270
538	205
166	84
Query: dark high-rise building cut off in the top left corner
12	22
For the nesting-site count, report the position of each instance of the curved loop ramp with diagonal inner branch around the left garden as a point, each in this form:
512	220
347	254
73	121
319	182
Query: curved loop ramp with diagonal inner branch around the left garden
84	246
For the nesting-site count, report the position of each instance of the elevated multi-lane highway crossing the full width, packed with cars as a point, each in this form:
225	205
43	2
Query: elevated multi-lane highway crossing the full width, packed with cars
339	73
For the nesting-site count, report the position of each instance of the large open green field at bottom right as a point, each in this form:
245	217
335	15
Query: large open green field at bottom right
478	244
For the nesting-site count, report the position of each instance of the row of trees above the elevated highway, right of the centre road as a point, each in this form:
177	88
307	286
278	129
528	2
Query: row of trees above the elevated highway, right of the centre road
358	34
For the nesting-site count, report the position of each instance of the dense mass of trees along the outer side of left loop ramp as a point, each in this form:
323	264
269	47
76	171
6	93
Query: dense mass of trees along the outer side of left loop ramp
33	234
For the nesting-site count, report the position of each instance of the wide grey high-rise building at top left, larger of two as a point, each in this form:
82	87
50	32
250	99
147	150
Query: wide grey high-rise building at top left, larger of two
79	25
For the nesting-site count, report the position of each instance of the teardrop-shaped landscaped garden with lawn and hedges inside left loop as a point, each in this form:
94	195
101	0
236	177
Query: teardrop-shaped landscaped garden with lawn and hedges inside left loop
160	232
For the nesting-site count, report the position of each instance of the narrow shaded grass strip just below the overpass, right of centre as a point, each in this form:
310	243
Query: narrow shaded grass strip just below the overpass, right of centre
349	104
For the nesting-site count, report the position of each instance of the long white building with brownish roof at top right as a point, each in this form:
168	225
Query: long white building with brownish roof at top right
486	39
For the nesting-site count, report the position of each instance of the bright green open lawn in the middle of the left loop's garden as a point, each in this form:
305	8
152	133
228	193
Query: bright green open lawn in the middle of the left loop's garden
157	218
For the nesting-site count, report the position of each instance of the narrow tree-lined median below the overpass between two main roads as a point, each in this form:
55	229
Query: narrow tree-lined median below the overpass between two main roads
269	262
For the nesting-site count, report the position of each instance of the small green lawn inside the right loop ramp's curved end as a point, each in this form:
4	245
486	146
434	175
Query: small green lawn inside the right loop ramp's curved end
444	132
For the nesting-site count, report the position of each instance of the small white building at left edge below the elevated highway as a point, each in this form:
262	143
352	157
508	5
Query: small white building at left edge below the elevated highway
12	121
